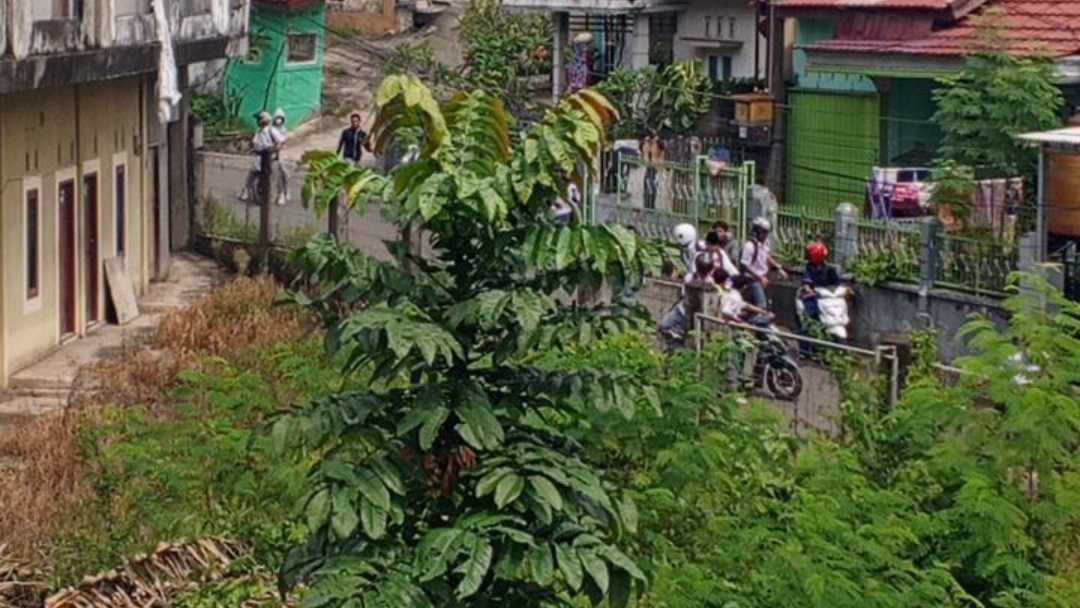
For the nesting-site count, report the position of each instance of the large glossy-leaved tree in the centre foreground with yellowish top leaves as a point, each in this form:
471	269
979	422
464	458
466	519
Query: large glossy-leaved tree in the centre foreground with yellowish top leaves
448	482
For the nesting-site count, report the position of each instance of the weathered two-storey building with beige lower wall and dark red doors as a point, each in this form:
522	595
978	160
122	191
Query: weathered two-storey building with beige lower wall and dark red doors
94	161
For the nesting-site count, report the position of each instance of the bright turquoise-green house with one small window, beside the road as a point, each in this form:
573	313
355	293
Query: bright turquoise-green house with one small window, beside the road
283	69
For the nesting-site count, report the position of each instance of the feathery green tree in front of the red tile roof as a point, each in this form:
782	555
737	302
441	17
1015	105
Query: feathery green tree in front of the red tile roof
993	100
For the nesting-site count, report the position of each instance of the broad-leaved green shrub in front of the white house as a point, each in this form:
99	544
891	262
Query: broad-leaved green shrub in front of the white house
674	98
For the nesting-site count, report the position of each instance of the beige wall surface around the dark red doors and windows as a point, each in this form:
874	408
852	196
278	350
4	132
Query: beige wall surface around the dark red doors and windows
42	147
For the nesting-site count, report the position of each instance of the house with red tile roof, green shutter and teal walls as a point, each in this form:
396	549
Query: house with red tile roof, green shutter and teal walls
865	73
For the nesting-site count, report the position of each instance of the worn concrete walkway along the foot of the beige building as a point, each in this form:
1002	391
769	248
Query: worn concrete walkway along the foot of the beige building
50	384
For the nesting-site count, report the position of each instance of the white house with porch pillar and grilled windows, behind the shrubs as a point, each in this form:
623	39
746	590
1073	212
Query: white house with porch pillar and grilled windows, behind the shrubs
730	37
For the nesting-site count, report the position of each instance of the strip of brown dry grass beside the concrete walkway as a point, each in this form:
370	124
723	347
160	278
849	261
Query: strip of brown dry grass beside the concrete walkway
50	478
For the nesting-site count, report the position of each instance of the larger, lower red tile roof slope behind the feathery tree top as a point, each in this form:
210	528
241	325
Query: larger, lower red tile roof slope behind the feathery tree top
1031	28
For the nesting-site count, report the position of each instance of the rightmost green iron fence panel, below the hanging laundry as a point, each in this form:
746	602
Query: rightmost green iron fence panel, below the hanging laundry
974	265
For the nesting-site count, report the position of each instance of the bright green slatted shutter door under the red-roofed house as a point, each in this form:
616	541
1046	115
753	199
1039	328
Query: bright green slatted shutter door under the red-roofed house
833	142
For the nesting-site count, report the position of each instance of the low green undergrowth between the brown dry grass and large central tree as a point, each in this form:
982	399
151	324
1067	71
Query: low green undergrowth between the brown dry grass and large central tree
205	470
